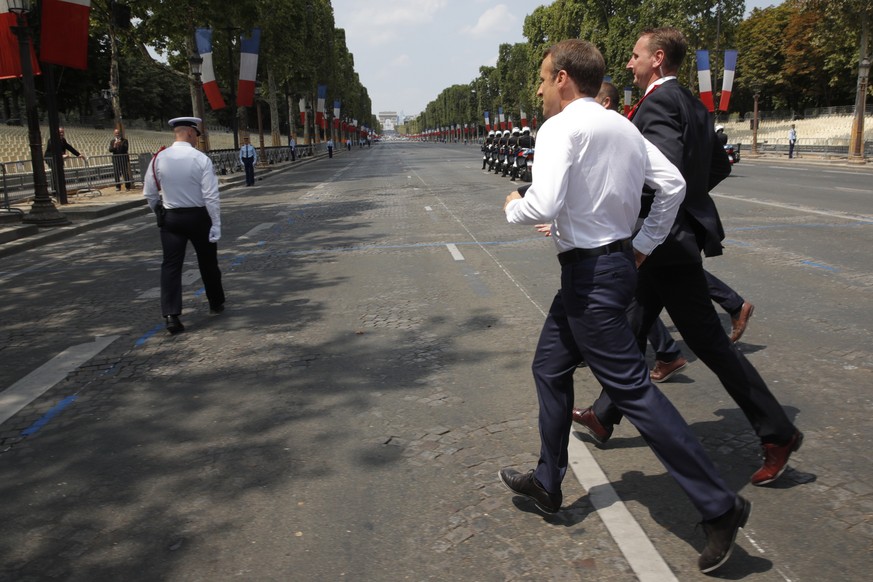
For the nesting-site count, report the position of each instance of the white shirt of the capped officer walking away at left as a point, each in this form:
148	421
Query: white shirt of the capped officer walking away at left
187	180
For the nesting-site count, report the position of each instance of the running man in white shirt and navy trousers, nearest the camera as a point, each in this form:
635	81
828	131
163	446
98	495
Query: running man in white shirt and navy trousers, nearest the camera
592	168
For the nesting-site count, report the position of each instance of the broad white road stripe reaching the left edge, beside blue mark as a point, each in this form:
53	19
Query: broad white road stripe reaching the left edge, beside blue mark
35	384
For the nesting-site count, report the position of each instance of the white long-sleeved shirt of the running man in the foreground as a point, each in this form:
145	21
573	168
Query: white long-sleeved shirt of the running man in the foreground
591	164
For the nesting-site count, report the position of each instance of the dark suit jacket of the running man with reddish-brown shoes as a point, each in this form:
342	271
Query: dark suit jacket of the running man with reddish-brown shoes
679	125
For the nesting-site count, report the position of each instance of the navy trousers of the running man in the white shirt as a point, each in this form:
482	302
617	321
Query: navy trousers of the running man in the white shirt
588	320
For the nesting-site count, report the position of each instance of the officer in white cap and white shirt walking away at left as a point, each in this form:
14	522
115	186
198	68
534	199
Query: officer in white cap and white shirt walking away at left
185	177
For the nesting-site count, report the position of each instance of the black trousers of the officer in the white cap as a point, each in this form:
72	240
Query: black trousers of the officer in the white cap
182	225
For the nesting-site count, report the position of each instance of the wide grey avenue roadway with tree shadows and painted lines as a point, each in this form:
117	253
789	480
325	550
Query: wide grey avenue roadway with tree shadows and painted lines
345	418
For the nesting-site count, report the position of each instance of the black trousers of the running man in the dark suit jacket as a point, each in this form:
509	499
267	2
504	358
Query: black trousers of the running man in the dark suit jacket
683	291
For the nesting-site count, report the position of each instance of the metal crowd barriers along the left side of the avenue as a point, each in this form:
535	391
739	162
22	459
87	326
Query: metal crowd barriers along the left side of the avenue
86	177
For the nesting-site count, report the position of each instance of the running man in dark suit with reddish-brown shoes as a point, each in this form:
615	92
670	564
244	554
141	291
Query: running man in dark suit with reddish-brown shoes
678	124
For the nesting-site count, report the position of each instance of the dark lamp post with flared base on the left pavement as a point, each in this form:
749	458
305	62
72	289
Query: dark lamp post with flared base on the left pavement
43	211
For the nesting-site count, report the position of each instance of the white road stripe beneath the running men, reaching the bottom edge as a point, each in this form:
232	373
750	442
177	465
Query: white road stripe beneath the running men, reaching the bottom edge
638	550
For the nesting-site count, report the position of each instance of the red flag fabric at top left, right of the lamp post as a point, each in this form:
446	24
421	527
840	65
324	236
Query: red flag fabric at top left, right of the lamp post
65	33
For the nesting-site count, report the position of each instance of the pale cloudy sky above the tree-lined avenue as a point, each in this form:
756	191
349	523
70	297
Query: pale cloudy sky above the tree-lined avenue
406	52
